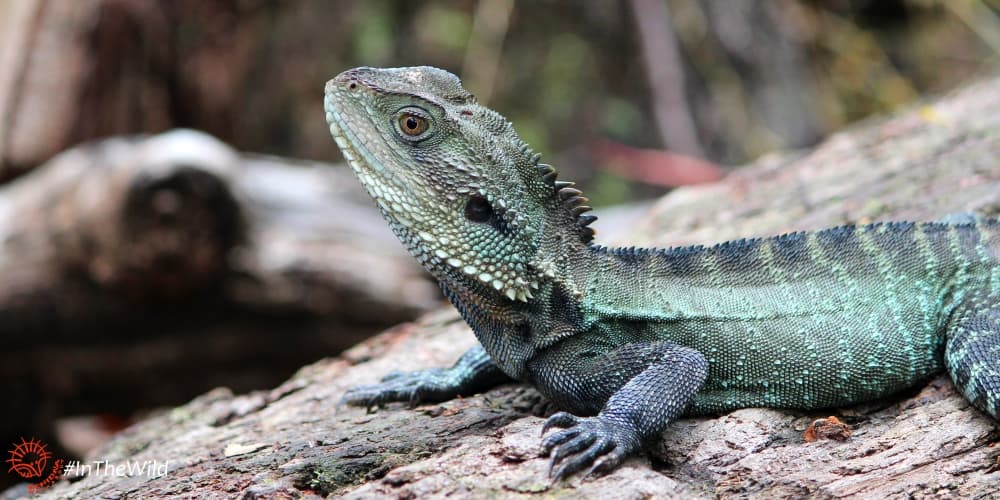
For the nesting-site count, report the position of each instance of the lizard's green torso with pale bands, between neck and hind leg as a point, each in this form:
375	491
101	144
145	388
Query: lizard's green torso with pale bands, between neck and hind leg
804	320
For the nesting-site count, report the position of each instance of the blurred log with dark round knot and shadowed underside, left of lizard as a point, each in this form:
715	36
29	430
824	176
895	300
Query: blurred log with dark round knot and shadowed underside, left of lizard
174	259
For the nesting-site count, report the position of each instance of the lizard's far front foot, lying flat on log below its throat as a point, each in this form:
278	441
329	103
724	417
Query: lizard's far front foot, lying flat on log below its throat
409	387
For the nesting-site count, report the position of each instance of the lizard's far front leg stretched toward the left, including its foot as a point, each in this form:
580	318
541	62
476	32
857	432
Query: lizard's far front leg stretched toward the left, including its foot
473	372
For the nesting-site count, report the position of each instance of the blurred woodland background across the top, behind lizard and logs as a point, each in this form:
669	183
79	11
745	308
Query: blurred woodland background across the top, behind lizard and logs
584	82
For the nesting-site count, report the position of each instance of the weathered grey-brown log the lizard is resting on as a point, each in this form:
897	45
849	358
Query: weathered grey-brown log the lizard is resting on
294	441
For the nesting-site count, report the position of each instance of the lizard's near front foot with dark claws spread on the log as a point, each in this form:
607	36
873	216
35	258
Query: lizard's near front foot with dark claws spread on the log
595	442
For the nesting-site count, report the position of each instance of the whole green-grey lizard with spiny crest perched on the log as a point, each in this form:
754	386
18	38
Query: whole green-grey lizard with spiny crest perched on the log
626	340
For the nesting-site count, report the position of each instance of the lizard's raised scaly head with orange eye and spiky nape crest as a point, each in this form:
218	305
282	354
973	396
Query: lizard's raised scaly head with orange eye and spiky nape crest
457	185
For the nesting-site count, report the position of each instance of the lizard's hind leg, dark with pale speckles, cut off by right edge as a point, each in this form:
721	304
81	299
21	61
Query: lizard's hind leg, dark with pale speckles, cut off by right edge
972	356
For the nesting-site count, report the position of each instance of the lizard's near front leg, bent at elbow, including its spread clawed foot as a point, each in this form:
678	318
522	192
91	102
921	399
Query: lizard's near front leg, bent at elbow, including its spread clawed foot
653	383
